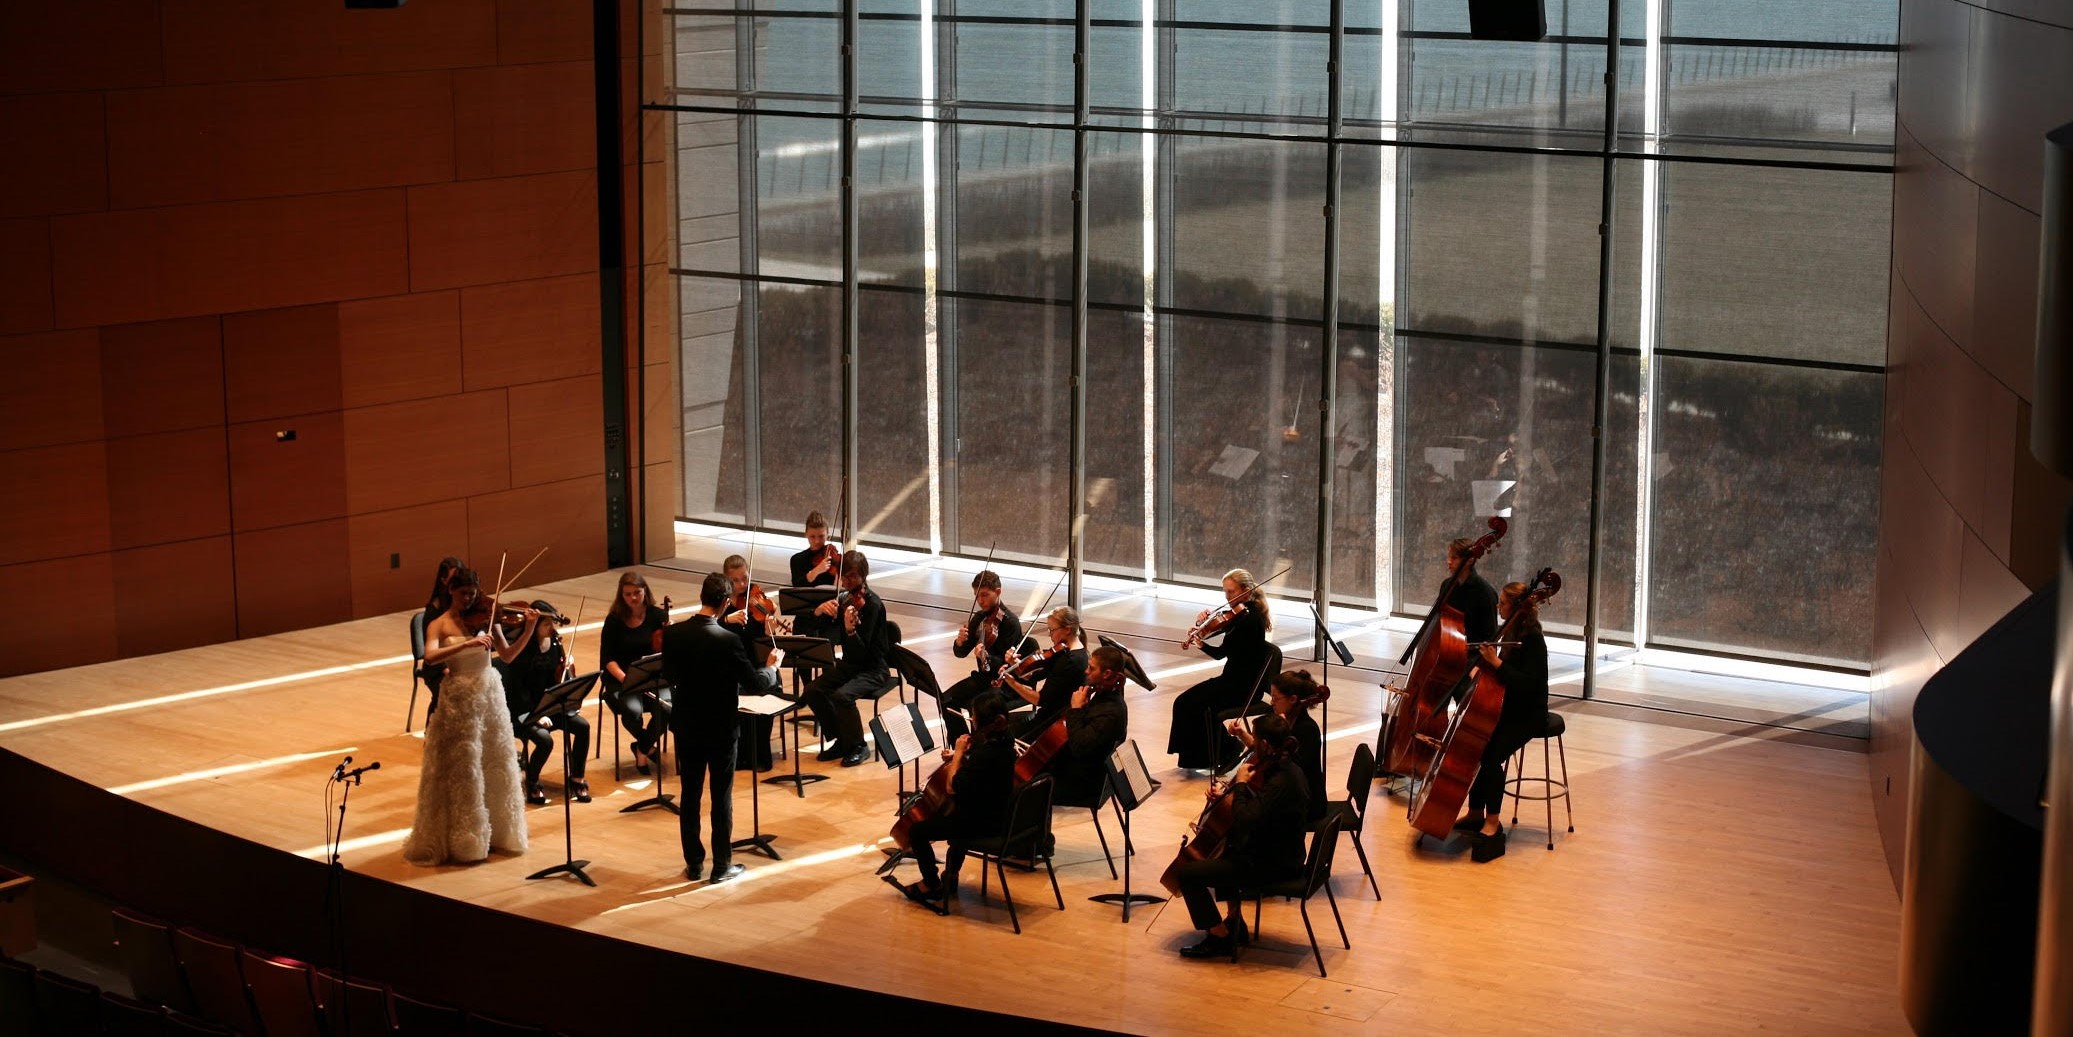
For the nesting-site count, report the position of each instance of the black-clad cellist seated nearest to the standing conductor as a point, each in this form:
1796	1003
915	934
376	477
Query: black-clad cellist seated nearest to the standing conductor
982	785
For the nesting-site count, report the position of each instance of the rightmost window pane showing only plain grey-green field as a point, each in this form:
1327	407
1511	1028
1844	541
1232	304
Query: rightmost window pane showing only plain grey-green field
1773	262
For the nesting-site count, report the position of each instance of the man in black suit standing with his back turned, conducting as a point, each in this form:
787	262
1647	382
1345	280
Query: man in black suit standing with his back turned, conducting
708	667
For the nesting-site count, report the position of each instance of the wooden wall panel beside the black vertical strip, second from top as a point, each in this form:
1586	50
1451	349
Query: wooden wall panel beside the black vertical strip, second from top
526	119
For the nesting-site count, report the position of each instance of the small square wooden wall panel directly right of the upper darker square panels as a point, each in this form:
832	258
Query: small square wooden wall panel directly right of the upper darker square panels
399	349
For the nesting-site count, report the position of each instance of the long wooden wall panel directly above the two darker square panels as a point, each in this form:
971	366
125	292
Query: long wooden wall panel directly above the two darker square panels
179	262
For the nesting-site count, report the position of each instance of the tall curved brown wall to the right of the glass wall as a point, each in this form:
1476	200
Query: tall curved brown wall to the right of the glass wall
1968	522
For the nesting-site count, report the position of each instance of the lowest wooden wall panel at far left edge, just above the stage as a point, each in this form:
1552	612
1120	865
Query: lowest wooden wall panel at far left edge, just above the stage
53	638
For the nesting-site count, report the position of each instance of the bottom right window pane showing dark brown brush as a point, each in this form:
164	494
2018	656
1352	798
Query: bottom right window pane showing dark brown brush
1765	517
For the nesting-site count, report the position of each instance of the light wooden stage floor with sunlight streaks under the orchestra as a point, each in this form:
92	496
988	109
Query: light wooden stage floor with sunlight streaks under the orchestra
1715	882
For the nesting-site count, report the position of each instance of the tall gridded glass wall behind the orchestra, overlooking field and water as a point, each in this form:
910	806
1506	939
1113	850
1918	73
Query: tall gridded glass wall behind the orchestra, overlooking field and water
911	206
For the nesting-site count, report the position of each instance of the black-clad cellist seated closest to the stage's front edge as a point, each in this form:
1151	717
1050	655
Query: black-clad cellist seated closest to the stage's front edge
1263	843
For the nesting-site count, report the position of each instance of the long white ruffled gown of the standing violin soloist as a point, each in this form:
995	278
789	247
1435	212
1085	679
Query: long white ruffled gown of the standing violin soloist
470	800
